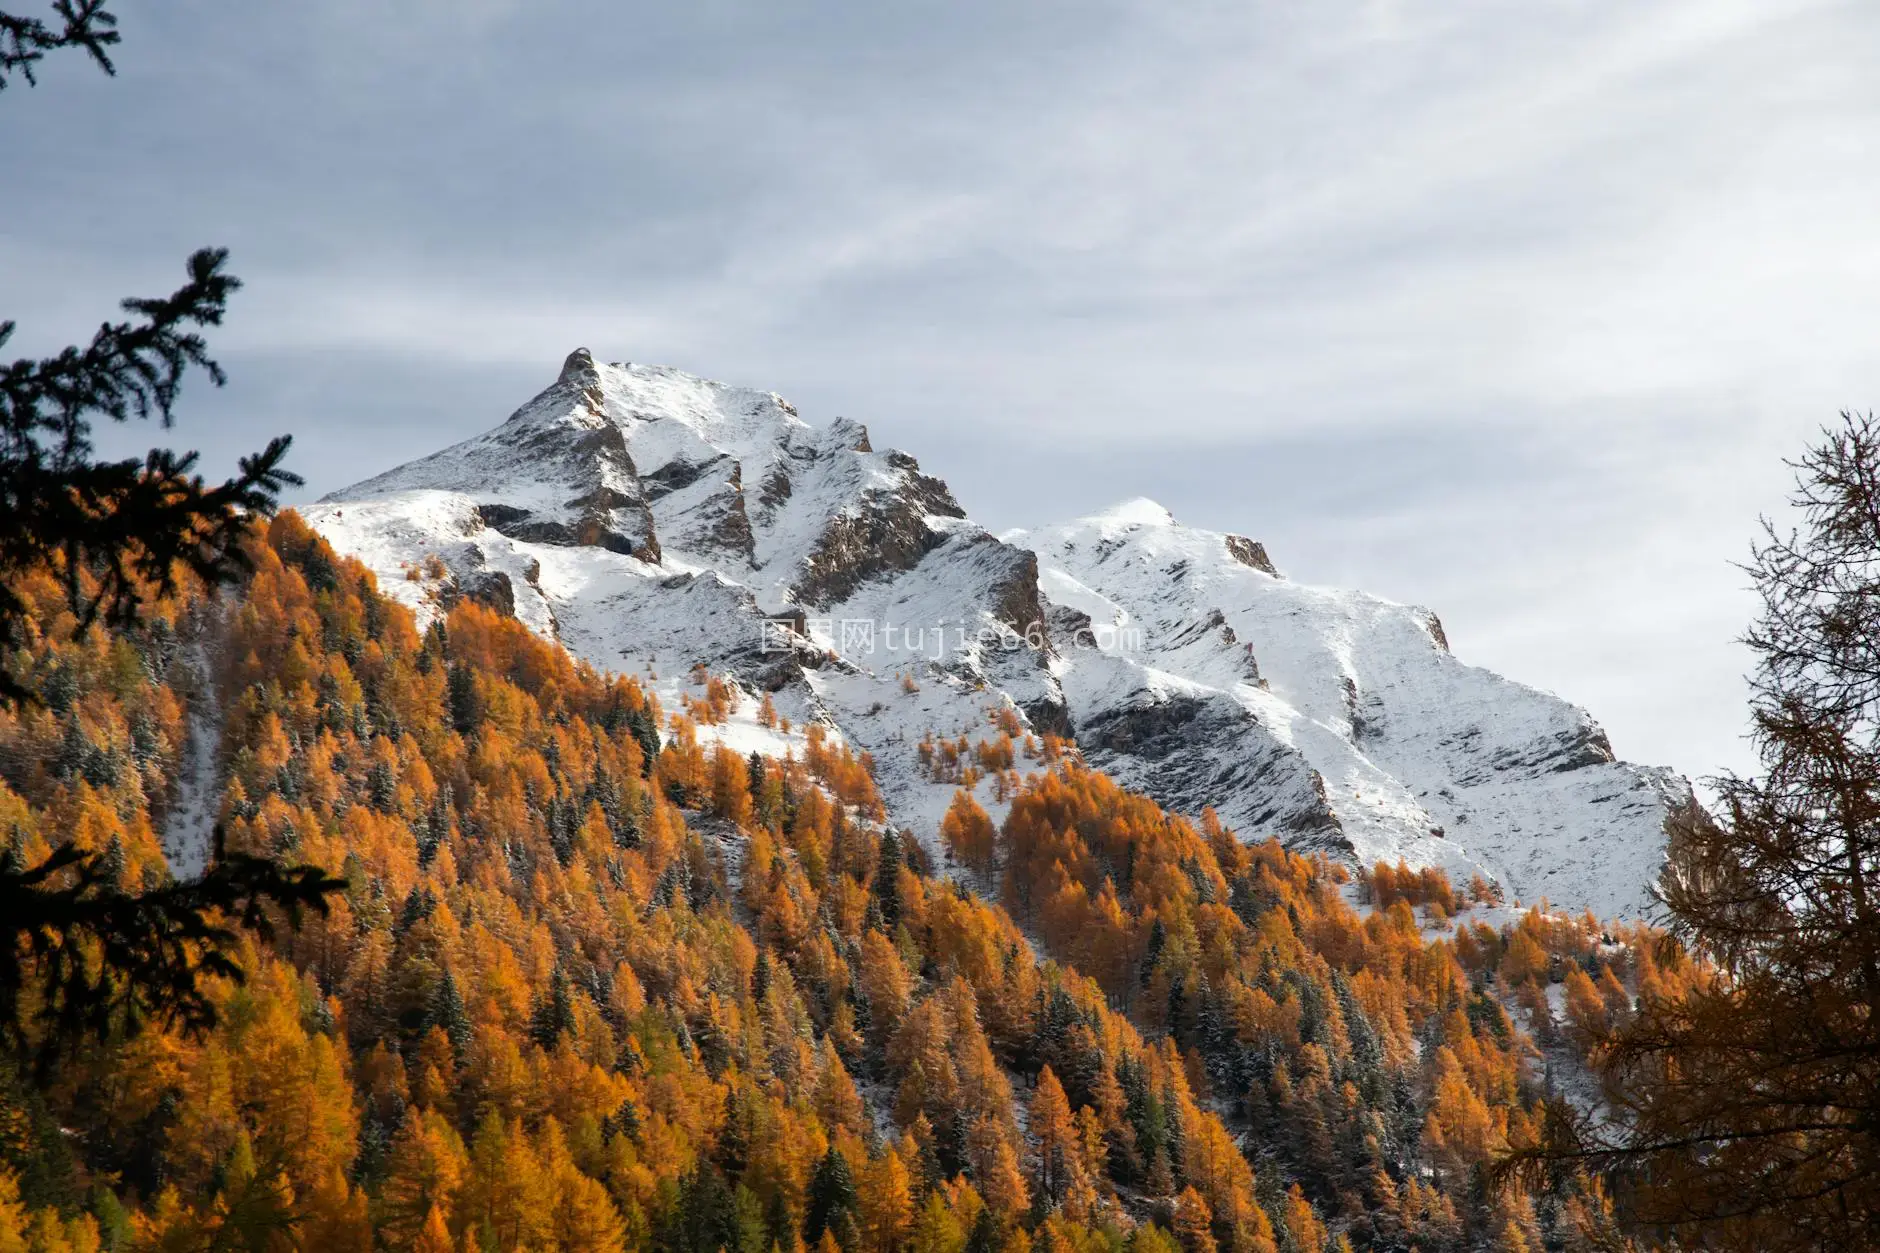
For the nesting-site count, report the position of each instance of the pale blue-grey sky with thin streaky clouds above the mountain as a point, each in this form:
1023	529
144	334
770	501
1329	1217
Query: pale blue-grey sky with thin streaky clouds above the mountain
1511	309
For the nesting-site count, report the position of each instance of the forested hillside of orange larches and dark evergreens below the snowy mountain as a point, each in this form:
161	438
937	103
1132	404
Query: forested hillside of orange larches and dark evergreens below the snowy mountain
601	985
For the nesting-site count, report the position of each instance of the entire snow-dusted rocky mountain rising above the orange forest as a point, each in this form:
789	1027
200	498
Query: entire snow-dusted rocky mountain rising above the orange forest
651	520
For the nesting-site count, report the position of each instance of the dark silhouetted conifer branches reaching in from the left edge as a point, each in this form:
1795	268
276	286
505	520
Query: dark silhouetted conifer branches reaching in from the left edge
78	957
